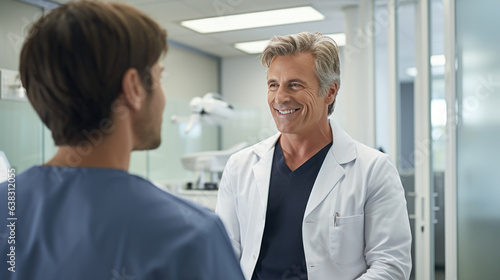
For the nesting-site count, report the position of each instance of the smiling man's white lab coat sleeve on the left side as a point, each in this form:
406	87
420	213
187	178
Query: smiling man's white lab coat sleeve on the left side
226	206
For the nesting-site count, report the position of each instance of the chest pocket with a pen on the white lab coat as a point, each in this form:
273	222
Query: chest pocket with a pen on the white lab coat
346	238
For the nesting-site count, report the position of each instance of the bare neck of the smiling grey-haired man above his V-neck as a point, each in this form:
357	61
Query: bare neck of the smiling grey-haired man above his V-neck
298	148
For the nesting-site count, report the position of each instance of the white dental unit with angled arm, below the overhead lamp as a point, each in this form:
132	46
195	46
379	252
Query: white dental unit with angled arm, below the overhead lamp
211	162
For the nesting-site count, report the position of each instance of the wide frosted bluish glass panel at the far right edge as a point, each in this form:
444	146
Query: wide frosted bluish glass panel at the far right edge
478	138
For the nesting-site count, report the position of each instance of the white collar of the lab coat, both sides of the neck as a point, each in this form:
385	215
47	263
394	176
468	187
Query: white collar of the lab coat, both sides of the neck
343	148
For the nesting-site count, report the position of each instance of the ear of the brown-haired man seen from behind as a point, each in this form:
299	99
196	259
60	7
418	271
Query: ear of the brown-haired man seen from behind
133	93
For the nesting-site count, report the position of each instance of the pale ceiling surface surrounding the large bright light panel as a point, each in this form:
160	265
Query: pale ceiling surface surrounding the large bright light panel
169	13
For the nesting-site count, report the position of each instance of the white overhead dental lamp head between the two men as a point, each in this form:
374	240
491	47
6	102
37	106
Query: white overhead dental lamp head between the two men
210	109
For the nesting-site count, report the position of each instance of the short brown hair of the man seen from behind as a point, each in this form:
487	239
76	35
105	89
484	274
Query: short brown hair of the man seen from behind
74	58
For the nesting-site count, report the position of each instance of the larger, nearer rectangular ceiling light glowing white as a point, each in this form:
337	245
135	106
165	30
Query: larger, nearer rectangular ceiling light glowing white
253	20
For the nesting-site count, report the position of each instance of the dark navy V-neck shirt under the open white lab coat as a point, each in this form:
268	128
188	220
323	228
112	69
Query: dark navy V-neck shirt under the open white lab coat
282	252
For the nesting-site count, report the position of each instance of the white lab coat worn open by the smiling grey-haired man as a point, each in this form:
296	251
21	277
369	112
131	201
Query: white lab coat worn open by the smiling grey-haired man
371	237
